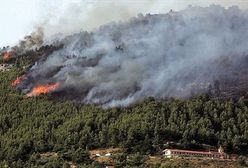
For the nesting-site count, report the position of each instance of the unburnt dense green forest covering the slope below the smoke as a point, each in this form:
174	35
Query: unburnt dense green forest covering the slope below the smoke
31	126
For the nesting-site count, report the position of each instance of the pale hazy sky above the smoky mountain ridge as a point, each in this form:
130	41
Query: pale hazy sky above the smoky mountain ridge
18	17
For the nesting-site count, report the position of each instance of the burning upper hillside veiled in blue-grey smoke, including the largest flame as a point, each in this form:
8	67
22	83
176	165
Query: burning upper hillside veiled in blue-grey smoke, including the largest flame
179	54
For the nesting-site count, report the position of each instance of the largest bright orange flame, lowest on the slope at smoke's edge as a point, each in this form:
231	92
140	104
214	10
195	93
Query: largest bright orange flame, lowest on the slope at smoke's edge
43	89
